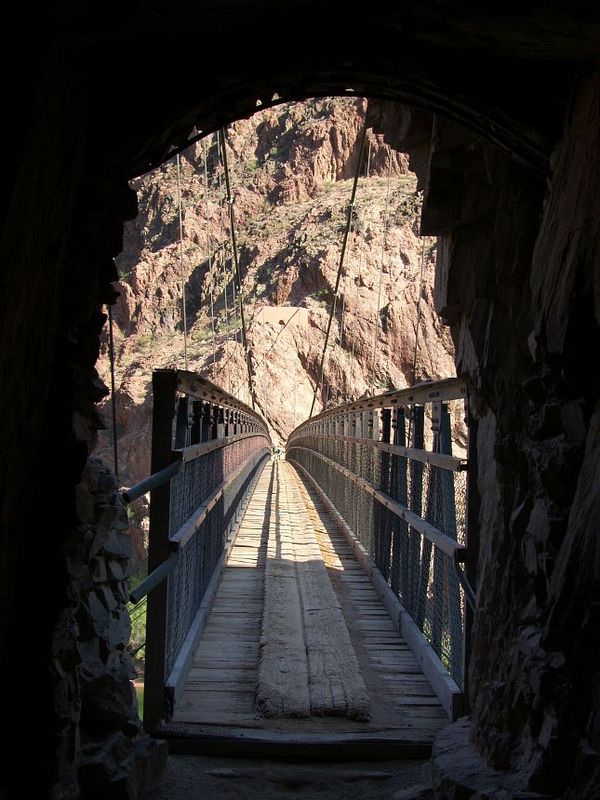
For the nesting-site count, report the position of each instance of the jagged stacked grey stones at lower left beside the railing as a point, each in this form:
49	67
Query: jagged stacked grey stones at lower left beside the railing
116	758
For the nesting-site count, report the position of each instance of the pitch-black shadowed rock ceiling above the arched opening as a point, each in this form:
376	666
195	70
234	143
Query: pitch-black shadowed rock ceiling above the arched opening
165	69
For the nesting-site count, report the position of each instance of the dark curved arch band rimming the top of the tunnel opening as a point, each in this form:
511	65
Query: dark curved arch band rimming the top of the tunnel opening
508	127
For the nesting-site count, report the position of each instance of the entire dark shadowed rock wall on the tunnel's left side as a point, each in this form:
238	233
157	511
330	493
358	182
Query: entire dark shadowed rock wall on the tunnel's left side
63	616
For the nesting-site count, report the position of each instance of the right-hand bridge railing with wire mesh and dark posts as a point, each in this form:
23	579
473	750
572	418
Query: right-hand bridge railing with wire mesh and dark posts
394	467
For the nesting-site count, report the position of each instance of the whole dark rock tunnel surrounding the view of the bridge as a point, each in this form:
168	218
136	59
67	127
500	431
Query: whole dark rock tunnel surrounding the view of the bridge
497	107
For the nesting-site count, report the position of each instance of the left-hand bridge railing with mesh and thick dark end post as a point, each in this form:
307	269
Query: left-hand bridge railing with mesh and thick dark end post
208	449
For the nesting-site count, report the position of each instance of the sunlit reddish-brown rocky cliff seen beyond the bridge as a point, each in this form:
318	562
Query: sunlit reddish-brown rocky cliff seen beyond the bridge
304	154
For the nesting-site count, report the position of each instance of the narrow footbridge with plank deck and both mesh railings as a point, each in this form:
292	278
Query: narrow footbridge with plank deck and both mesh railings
314	604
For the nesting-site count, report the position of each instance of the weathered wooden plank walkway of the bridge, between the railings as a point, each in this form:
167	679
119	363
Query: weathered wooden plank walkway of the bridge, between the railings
328	646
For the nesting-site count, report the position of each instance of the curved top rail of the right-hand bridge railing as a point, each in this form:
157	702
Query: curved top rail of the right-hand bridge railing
426	392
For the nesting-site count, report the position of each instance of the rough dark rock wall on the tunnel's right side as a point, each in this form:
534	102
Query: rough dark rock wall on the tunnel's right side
518	278
